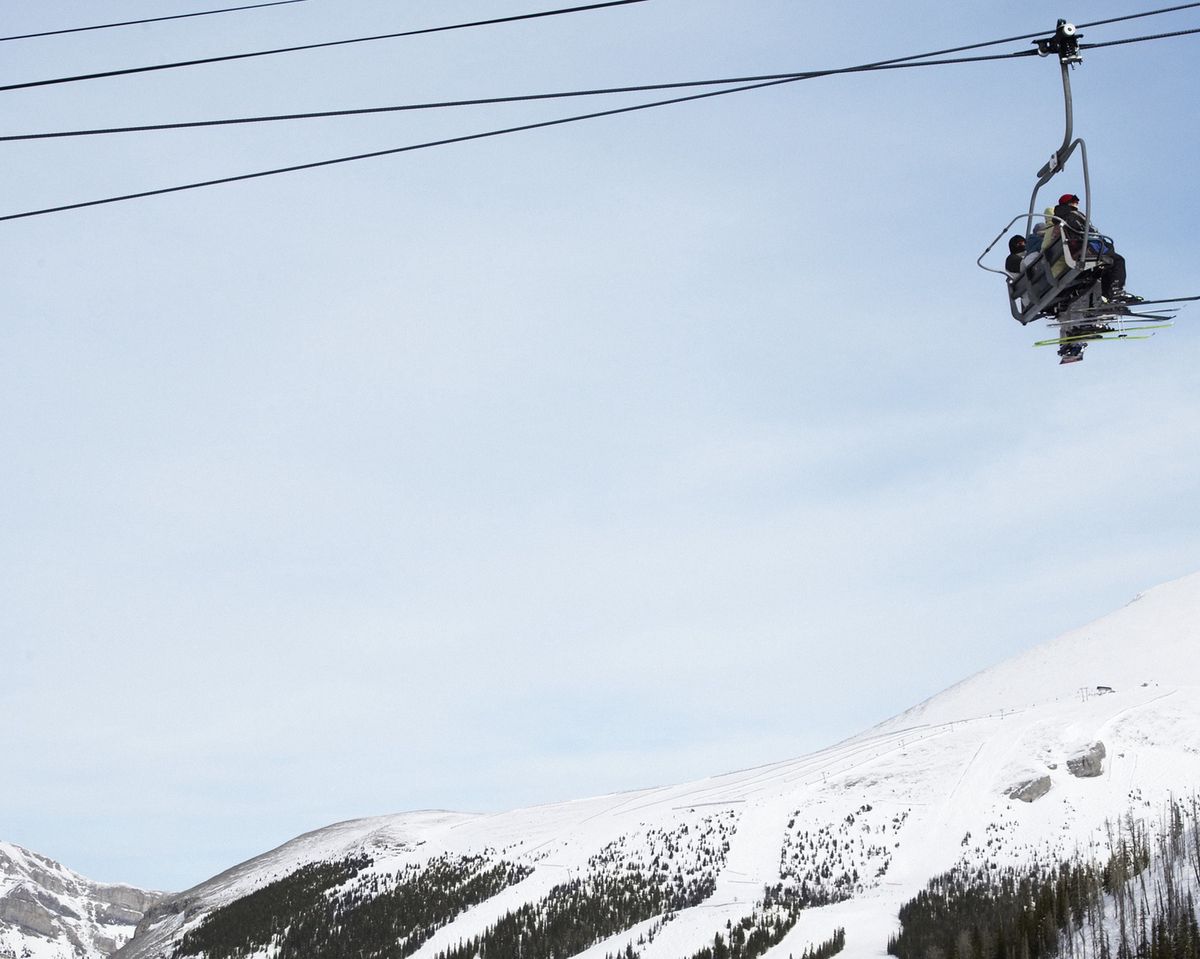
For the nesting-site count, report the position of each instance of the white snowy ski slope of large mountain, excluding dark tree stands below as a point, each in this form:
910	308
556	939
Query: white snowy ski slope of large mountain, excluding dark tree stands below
1087	728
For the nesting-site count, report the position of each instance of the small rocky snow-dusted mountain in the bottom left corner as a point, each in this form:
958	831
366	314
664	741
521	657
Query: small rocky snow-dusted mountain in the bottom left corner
51	913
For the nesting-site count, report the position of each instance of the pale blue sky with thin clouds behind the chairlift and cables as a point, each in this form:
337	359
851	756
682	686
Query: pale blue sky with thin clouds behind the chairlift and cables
533	469
